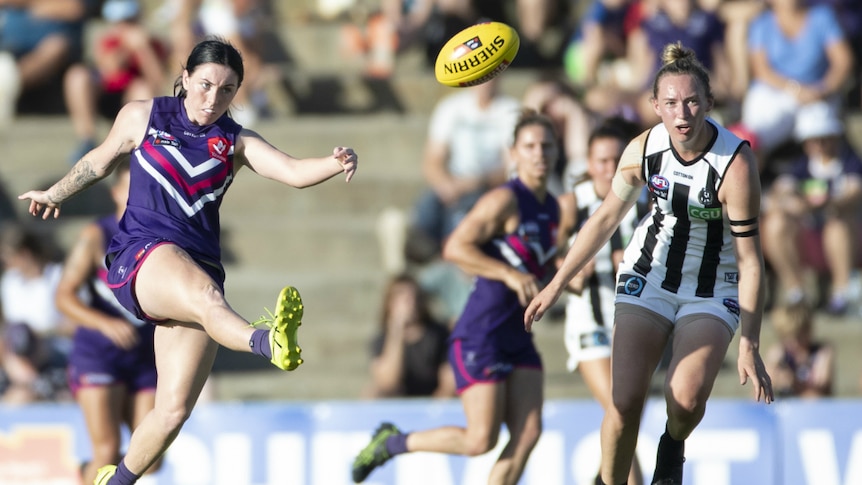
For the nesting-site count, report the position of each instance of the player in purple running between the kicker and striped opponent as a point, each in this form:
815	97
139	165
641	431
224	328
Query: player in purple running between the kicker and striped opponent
508	241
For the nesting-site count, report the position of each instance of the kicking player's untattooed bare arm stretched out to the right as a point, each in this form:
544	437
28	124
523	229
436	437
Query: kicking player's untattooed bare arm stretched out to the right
272	163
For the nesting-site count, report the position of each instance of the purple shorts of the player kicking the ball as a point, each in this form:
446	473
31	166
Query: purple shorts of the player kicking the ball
123	268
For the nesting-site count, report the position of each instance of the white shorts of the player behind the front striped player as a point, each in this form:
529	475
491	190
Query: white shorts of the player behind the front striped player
585	338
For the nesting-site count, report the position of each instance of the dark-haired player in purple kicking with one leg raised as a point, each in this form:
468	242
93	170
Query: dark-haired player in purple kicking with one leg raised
165	262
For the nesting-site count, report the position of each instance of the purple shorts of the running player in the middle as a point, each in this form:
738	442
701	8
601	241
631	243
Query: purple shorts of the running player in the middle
481	361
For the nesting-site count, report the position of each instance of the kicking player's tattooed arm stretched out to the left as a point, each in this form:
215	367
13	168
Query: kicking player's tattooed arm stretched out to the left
128	129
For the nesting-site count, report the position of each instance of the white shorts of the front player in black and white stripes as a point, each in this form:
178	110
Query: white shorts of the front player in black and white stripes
639	291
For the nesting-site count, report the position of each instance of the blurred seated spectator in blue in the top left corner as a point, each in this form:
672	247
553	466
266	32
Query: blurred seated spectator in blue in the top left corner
40	38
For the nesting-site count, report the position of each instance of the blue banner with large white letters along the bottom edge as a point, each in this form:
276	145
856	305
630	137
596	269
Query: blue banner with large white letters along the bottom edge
787	443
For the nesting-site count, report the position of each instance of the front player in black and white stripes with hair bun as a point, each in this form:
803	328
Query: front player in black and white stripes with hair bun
693	270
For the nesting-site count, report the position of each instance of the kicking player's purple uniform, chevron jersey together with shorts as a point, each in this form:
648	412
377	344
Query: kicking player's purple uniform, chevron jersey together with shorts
179	175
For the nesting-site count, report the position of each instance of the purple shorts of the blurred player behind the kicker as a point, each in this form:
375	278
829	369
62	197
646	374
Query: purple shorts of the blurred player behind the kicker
96	362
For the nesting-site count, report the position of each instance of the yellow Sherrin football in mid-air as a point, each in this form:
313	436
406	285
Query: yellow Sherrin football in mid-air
476	54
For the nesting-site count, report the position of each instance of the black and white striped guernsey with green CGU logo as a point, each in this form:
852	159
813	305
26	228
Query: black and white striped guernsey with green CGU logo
685	245
